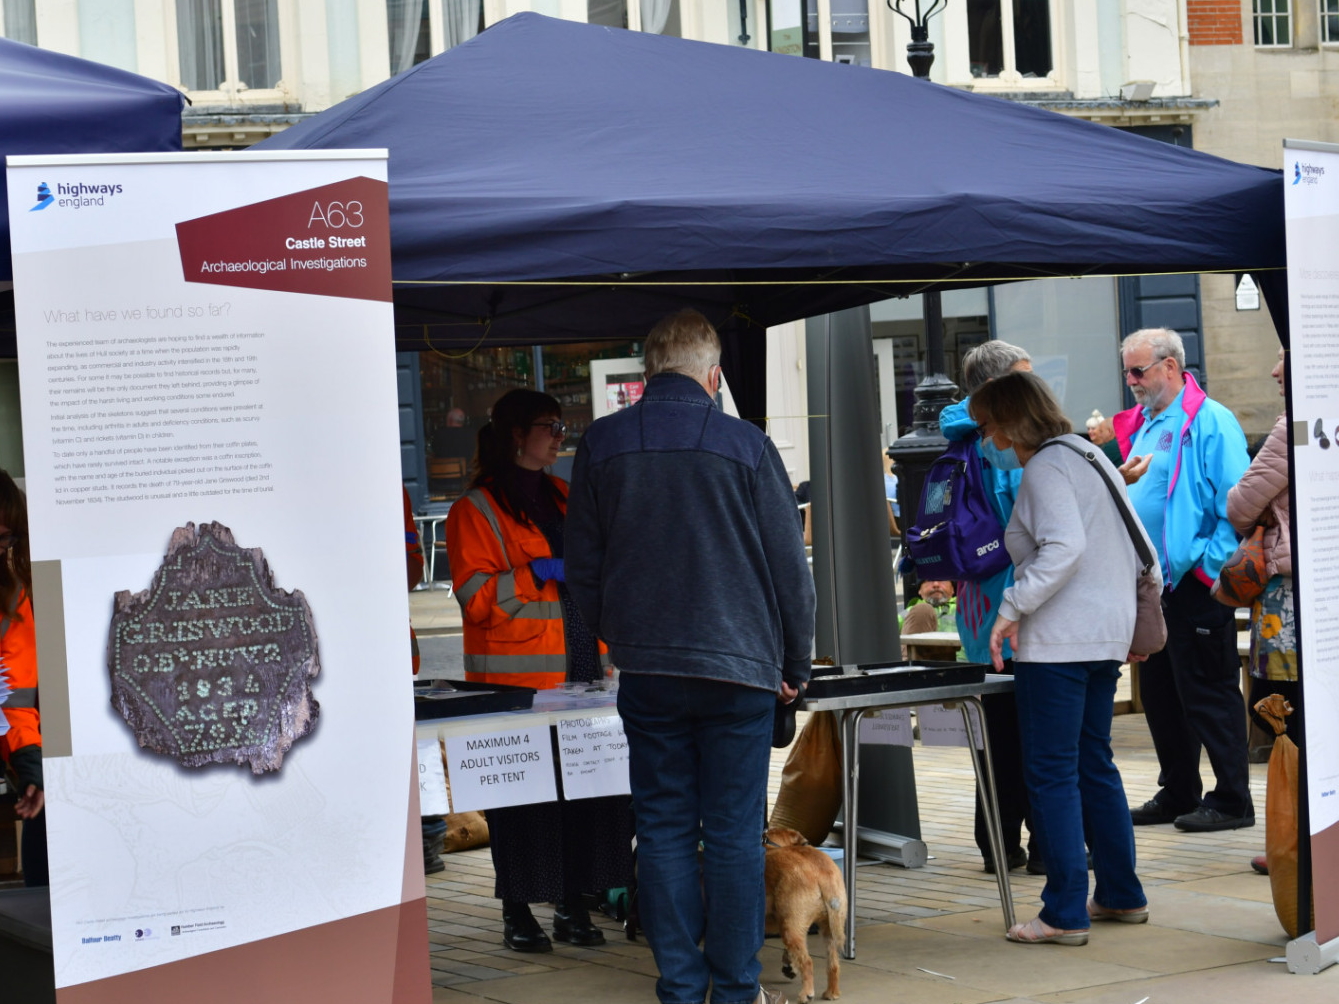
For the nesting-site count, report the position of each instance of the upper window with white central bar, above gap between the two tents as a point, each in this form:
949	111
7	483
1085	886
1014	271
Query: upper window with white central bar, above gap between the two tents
227	45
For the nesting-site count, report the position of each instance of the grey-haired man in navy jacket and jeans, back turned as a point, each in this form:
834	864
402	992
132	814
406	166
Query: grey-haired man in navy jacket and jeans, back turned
685	556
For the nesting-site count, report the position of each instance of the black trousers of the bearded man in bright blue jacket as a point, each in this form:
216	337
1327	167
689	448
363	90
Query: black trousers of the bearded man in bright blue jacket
1192	699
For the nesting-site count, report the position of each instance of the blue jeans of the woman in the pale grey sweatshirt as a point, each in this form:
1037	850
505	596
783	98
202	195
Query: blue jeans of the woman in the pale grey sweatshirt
1075	788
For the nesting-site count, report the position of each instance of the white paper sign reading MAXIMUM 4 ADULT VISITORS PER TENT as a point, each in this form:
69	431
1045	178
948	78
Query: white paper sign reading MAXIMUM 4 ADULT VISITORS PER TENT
491	770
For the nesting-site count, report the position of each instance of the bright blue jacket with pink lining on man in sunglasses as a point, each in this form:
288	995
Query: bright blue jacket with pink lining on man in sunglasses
1210	458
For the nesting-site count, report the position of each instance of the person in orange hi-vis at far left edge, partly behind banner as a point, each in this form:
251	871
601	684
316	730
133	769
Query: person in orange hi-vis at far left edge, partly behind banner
22	745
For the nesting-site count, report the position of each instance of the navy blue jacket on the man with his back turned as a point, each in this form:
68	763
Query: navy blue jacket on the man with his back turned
682	547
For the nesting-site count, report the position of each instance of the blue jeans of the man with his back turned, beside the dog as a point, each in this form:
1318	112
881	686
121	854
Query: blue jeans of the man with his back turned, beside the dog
698	766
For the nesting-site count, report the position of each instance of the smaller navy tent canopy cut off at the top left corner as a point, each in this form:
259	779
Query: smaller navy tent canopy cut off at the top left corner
53	104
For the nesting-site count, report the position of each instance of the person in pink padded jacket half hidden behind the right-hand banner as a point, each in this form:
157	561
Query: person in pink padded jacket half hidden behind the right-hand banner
1262	499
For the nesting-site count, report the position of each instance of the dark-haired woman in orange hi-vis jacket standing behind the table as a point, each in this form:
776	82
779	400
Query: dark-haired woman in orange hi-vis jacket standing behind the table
504	539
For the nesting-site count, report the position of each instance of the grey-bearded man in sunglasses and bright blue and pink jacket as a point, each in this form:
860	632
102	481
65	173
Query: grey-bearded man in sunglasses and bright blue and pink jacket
1191	689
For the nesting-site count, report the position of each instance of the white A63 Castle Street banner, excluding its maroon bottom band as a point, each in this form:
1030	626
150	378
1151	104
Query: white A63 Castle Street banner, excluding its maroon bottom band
208	339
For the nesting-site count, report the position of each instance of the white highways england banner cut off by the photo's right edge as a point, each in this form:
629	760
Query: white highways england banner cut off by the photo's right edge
1312	207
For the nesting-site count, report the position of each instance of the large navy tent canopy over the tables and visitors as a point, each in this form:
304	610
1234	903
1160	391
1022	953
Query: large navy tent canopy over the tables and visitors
562	181
